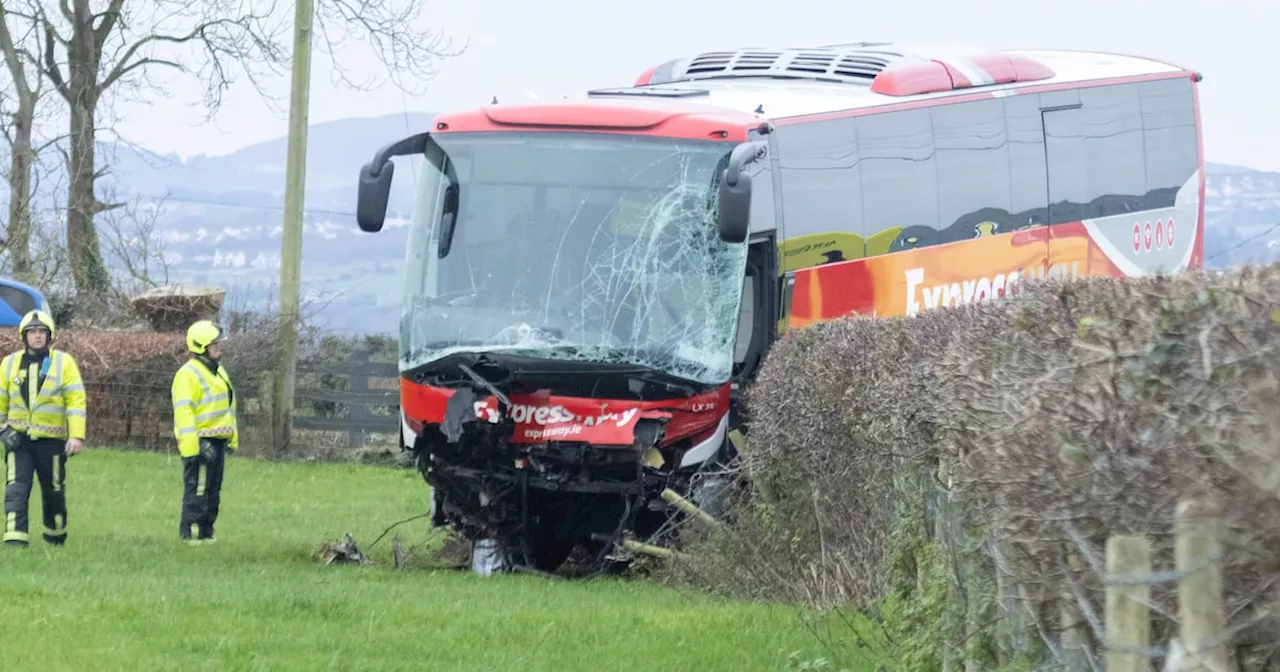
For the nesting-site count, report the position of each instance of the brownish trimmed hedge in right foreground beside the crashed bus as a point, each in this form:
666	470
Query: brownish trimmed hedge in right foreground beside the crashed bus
1021	433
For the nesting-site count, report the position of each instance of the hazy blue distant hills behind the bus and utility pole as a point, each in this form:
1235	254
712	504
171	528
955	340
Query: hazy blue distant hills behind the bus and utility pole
222	217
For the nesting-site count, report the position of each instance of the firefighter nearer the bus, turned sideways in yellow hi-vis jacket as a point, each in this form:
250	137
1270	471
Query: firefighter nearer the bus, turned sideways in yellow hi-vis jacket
204	423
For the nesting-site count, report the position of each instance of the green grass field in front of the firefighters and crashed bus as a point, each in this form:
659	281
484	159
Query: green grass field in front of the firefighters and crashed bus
126	595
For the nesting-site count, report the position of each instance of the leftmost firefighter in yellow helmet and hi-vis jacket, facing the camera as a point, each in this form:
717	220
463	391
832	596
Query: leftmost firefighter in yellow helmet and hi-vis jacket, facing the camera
43	410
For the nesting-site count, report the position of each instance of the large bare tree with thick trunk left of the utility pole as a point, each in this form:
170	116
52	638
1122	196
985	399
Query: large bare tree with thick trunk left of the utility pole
90	53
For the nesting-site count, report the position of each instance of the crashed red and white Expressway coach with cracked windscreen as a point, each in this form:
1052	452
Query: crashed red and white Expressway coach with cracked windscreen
591	281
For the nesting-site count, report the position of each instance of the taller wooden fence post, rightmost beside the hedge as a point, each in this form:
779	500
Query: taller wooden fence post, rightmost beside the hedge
1200	588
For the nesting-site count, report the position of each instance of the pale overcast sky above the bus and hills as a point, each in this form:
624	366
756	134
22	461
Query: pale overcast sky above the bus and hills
551	48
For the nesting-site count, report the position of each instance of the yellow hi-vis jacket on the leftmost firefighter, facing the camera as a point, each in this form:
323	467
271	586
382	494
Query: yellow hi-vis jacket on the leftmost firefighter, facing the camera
57	410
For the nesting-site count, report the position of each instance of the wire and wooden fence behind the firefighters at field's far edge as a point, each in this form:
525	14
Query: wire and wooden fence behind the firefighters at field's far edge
346	396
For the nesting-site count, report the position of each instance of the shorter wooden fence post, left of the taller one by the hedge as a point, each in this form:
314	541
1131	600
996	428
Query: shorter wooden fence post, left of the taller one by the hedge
1128	620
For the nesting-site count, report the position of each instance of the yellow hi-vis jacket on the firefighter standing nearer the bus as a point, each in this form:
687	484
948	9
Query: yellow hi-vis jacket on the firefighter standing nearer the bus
204	405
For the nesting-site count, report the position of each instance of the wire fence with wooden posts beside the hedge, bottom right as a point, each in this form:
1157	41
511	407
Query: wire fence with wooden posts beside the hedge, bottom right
1146	602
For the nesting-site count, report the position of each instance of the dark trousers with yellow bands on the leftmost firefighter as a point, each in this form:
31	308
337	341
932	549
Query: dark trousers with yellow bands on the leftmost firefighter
47	460
